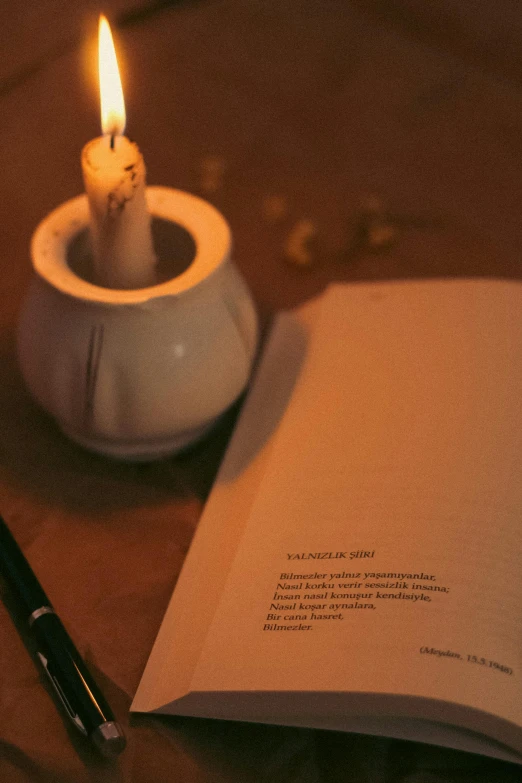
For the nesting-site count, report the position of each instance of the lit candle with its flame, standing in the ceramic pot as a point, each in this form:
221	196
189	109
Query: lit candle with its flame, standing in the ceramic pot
114	175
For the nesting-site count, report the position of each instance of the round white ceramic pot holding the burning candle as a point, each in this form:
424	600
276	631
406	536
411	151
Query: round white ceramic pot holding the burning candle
137	374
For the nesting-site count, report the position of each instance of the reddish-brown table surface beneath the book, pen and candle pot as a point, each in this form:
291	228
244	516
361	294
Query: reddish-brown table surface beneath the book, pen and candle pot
290	116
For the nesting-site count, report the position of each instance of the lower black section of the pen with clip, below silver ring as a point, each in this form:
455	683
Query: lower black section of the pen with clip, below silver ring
70	678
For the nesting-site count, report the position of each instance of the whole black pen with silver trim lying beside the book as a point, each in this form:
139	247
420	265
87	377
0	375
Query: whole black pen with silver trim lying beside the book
73	684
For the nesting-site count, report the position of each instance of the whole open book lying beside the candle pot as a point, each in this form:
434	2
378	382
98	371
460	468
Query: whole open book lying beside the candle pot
358	564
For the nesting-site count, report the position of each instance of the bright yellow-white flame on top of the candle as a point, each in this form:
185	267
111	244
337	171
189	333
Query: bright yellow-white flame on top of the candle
111	92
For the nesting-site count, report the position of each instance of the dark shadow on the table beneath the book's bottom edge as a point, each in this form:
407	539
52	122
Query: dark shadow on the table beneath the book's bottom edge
256	753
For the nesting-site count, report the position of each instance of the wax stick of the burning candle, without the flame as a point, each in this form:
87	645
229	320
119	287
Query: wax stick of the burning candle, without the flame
120	225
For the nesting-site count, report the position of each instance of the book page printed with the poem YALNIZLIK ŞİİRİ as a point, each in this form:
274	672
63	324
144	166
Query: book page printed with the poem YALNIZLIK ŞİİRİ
382	551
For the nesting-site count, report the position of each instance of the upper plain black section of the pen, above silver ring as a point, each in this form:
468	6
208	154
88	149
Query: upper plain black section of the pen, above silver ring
18	574
